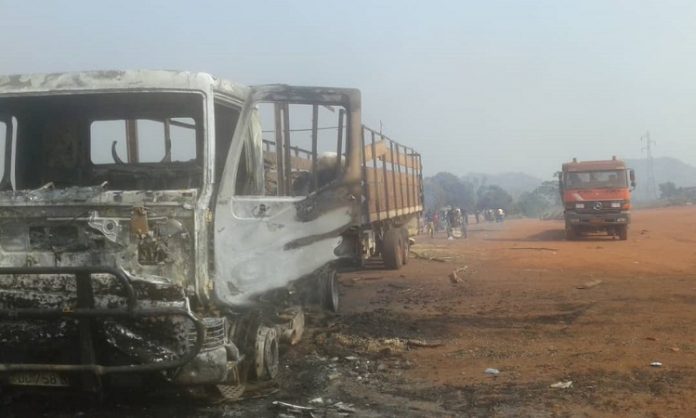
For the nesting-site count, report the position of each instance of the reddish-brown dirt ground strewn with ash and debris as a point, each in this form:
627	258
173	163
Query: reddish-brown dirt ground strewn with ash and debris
539	309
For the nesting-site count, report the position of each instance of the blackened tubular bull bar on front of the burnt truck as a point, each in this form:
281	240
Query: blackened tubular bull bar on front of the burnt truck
85	311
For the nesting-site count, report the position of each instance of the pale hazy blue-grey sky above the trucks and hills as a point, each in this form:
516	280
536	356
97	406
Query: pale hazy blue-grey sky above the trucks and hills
484	86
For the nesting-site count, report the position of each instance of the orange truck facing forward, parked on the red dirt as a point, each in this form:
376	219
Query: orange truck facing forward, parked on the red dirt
596	197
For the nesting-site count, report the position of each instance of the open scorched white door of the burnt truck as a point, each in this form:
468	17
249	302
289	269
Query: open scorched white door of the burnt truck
278	239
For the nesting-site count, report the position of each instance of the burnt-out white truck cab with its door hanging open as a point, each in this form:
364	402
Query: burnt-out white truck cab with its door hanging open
160	225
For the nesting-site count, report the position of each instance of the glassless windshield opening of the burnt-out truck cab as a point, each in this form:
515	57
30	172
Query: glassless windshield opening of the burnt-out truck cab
58	129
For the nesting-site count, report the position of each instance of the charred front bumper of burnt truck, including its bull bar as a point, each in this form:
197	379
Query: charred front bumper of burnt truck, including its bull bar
190	339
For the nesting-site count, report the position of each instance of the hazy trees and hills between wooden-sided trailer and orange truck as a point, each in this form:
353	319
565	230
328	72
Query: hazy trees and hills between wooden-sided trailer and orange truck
446	189
